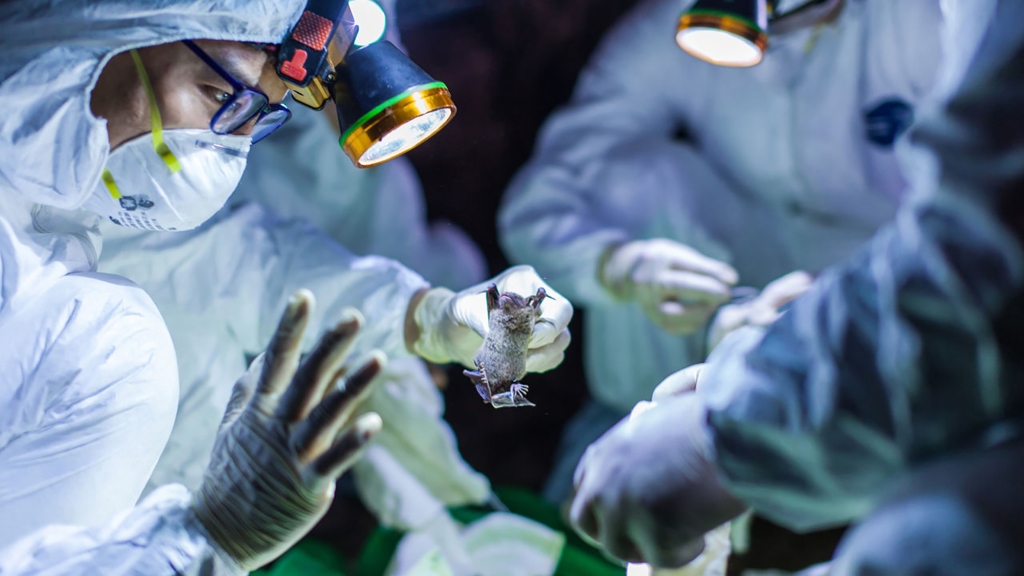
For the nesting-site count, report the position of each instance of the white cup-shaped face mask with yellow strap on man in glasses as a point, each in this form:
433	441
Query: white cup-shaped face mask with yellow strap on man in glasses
172	181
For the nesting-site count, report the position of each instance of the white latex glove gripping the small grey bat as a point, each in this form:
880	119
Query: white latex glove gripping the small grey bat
450	327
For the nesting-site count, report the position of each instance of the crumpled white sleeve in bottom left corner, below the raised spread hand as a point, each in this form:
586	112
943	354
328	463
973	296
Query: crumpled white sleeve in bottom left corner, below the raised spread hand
160	537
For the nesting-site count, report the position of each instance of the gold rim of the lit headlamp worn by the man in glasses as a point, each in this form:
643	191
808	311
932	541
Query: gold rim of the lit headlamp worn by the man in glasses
376	125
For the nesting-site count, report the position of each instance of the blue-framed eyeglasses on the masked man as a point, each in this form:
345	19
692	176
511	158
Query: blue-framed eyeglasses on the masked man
244	106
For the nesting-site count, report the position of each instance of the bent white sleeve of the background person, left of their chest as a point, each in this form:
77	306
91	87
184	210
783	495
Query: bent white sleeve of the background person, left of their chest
634	91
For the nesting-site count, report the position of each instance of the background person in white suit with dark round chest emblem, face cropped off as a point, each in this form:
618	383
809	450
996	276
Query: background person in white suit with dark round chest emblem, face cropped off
667	182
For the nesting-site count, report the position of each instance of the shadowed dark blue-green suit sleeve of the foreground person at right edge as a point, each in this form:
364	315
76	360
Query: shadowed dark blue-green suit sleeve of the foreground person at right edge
912	349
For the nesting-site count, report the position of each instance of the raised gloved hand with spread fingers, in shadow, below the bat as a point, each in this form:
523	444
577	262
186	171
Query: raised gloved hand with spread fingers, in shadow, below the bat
282	442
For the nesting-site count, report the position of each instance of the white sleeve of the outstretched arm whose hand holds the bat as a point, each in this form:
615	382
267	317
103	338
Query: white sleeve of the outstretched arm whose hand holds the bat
242	268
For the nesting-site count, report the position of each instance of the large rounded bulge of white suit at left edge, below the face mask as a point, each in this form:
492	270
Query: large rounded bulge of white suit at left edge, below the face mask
89	390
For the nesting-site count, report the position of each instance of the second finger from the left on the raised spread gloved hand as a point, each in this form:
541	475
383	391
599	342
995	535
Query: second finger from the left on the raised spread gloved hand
320	369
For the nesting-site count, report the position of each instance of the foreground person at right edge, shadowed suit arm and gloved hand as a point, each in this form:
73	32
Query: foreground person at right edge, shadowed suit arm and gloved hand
890	393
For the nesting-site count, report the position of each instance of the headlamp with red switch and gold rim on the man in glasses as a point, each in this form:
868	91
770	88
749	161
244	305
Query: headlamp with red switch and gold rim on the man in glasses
387	105
